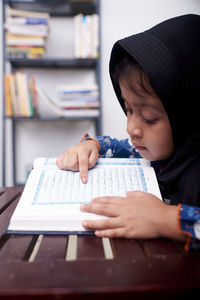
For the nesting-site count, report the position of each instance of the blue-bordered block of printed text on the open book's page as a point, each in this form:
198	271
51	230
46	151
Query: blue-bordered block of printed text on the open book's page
110	177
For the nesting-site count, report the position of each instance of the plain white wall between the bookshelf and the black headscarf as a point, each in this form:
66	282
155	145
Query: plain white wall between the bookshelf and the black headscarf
121	18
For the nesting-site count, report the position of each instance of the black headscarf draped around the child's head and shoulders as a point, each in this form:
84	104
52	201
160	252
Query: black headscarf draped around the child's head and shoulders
169	53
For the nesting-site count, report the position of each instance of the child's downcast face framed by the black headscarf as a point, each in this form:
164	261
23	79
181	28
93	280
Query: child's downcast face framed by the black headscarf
147	122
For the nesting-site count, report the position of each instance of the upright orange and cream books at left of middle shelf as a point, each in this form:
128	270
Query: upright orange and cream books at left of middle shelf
20	95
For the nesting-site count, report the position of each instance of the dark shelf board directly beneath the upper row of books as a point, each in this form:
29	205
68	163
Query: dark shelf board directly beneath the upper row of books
53	63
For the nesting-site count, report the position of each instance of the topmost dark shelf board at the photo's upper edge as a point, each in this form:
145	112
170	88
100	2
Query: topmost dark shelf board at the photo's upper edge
56	7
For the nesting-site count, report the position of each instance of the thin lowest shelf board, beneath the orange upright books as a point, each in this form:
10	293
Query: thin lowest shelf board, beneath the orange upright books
52	118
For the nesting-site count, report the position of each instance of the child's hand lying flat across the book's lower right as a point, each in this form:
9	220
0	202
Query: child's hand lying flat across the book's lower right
140	215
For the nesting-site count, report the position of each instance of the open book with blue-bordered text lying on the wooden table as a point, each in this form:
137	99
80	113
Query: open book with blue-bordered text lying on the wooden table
50	202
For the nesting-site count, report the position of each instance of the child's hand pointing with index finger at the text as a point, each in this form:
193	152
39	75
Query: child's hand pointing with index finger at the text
80	157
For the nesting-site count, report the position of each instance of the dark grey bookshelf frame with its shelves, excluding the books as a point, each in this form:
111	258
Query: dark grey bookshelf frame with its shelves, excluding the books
50	63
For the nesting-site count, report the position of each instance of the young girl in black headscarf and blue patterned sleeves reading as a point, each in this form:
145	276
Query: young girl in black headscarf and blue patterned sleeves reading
155	75
